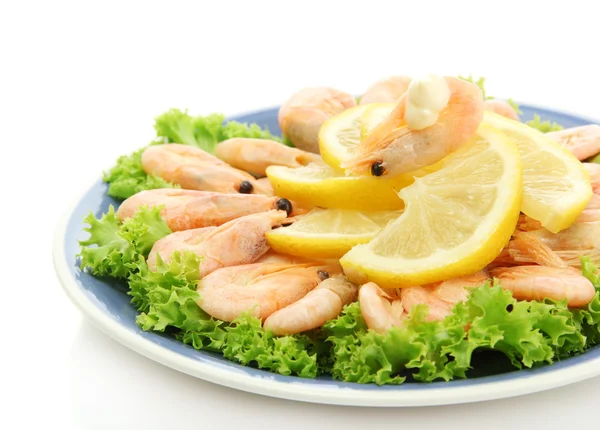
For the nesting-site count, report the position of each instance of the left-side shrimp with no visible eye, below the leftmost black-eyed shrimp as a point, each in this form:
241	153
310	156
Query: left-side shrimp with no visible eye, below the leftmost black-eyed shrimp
240	241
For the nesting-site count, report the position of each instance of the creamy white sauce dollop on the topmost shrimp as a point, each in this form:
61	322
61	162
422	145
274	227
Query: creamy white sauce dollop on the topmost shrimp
426	97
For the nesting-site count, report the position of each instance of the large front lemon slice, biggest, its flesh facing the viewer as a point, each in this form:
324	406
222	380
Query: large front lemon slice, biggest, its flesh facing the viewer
456	221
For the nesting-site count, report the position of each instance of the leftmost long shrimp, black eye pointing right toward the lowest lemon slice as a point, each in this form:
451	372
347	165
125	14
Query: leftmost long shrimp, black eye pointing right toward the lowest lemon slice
188	209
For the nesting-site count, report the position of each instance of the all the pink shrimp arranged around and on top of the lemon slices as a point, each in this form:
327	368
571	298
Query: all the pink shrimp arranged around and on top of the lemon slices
226	206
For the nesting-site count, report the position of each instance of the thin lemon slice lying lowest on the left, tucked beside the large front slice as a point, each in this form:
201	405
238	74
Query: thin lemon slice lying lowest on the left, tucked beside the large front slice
328	233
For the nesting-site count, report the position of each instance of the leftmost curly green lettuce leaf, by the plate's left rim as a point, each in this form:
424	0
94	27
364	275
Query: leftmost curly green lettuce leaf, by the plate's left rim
116	248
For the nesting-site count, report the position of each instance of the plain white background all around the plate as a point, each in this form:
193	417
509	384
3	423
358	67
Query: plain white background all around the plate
80	84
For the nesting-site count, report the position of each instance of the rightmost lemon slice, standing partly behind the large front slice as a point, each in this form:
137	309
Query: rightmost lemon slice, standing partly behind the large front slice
556	185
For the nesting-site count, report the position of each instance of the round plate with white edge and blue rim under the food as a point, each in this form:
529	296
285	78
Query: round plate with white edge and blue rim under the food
107	306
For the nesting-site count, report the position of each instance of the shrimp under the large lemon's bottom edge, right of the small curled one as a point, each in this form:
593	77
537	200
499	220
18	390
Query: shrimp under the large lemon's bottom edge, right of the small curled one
441	297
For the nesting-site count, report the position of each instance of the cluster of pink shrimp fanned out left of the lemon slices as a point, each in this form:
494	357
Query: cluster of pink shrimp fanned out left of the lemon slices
221	213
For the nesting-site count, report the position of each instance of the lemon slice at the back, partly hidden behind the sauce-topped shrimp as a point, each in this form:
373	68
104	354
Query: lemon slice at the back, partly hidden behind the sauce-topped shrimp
340	134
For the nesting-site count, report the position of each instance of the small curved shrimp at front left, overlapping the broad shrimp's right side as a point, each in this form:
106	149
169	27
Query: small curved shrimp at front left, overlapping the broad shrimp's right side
320	305
